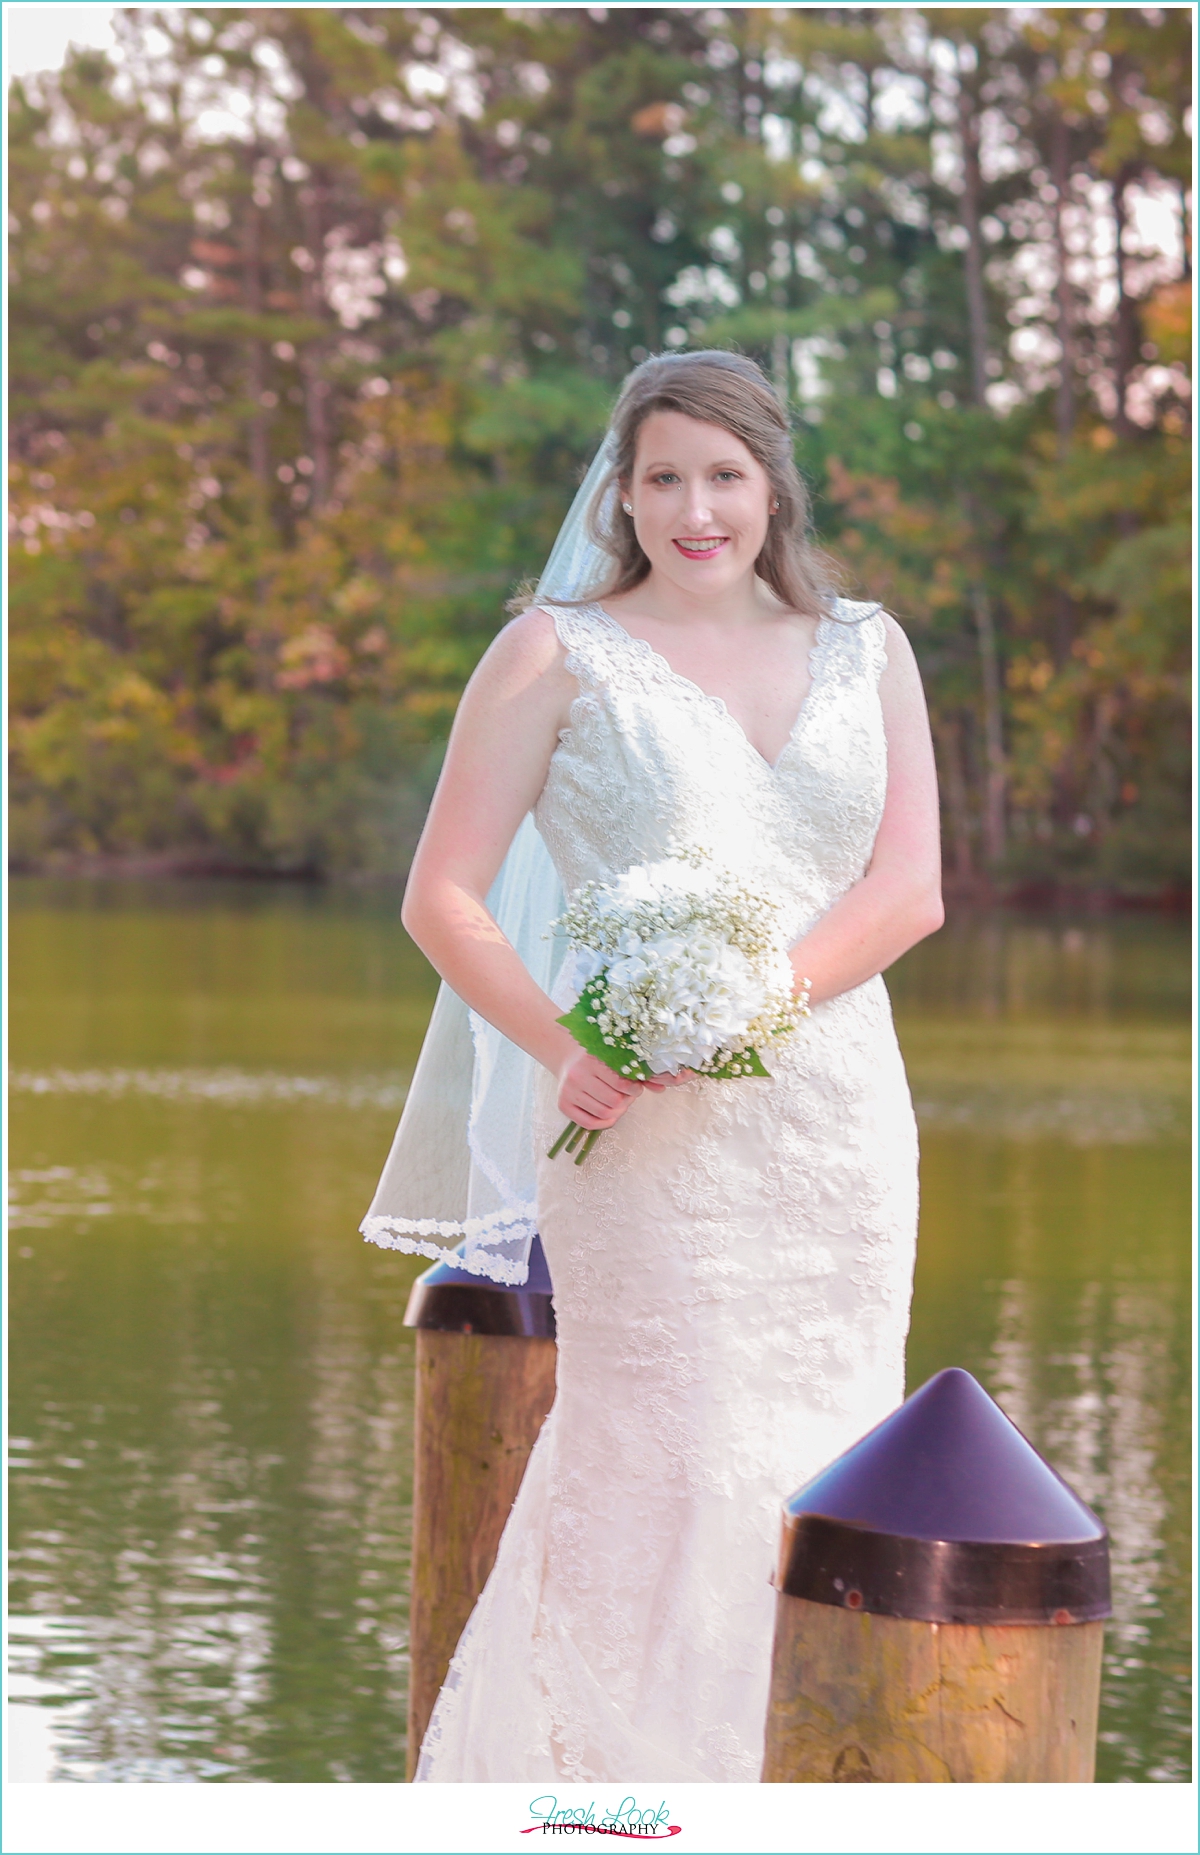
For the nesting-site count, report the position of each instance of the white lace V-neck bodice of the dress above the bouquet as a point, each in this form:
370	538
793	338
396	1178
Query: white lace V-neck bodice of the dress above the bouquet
650	760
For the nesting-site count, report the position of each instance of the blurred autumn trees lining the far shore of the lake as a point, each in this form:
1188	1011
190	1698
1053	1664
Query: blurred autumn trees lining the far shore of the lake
316	318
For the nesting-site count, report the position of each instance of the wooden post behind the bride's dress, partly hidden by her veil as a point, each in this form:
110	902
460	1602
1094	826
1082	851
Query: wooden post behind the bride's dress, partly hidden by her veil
485	1385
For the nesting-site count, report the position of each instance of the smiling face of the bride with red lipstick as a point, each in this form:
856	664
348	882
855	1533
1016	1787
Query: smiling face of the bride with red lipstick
700	502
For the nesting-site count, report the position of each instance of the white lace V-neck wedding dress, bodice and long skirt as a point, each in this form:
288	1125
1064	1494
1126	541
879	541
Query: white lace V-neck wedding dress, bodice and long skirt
732	1264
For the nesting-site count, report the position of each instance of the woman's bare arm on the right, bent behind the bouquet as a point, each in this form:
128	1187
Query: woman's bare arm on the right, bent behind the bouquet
900	899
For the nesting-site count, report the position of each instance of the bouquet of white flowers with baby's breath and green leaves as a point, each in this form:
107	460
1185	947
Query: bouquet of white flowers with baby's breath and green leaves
683	966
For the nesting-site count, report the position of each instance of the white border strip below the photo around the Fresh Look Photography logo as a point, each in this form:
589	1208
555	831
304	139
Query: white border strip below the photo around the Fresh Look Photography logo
483	1819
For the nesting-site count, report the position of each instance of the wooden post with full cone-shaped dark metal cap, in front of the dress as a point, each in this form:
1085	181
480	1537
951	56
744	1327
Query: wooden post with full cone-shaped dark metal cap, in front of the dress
939	1609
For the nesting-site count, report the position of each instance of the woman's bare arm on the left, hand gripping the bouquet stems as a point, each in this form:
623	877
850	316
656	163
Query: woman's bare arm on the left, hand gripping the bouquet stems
496	763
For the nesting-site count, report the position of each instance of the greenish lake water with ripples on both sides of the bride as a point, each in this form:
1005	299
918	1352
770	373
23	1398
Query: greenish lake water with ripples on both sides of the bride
212	1387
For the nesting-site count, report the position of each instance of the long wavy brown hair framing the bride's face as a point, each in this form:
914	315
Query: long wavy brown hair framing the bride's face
728	390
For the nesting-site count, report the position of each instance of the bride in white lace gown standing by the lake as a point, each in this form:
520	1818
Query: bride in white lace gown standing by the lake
734	1262
